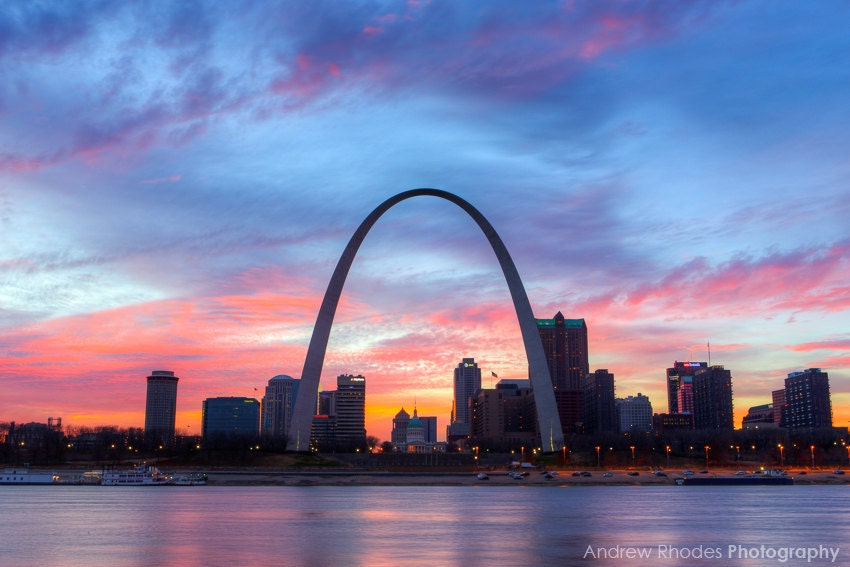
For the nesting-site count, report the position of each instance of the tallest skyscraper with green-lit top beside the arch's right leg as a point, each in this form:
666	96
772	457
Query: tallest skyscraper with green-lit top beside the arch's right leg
565	346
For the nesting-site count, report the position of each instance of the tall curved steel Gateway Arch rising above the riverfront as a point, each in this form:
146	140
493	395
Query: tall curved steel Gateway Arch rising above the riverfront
549	424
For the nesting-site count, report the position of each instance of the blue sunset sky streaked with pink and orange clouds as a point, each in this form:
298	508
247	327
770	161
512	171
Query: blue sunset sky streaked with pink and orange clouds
178	180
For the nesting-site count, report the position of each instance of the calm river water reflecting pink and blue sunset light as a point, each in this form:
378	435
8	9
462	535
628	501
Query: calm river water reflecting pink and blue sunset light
430	526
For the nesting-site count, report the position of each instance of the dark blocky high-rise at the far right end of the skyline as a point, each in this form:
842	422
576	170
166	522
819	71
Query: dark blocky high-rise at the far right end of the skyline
807	399
